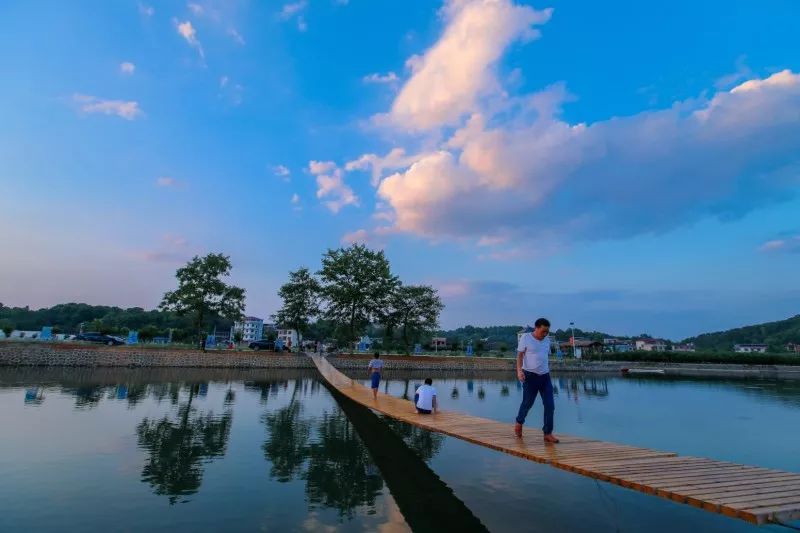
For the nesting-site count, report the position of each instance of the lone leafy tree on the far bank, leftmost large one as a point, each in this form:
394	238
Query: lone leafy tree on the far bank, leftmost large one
202	294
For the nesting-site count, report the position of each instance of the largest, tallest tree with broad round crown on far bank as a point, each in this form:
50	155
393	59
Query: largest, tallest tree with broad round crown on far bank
357	285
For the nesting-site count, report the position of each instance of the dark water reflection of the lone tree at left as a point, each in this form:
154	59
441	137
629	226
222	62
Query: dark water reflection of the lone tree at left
178	447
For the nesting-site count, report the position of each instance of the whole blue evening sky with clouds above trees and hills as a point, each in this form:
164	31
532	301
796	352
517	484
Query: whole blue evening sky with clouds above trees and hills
630	167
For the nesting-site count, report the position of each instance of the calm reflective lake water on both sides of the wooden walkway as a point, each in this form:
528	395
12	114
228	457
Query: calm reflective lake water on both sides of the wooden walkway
213	450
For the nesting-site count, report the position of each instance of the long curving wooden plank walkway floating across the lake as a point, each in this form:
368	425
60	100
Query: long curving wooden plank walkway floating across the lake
757	495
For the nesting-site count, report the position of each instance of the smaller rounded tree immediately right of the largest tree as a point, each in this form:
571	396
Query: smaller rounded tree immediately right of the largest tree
416	310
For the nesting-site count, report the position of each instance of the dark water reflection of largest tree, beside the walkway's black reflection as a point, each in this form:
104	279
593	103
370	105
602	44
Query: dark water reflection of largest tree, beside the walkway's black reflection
340	473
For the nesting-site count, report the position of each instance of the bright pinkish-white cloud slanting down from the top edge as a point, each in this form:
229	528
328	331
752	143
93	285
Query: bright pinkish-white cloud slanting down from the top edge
458	70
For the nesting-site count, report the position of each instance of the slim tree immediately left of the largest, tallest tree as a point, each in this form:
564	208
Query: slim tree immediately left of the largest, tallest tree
300	297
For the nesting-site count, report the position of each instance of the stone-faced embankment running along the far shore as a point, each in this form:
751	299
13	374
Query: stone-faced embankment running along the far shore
63	355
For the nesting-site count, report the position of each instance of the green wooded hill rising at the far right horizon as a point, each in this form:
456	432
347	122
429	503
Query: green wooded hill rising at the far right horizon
775	334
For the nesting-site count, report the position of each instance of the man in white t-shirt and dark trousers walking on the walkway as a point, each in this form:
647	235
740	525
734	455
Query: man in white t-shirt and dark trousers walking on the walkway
533	370
